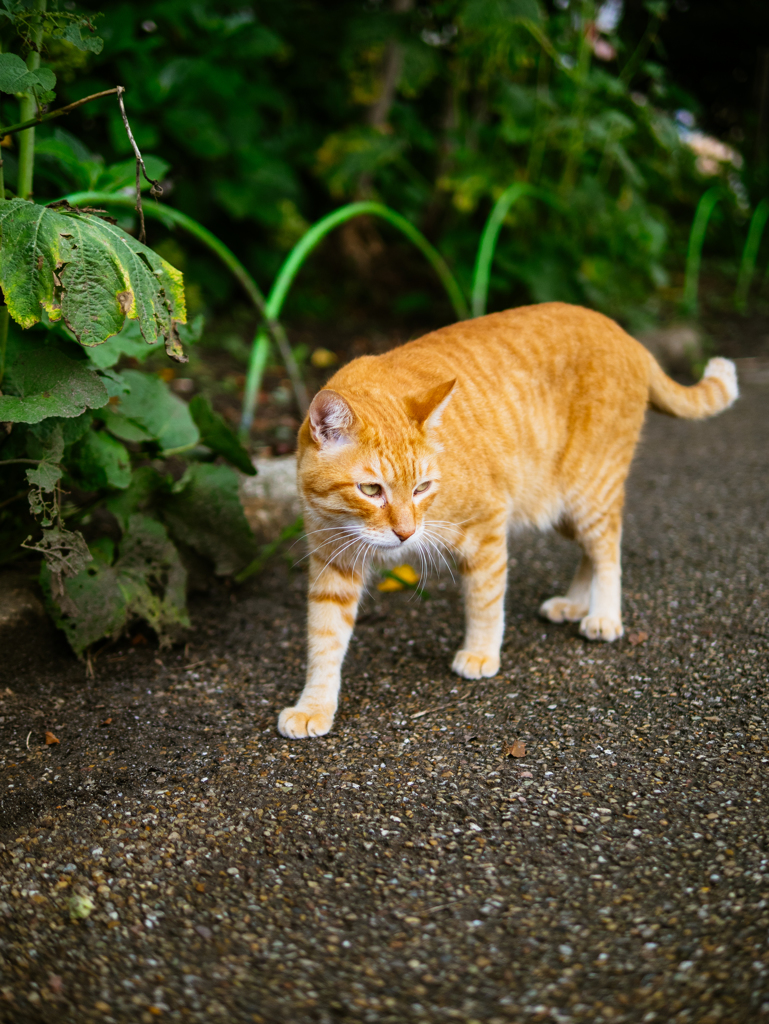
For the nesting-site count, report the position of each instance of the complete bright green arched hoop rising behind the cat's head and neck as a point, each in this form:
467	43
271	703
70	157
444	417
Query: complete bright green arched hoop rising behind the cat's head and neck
300	254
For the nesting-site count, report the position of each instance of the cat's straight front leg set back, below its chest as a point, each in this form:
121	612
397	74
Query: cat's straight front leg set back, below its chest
485	579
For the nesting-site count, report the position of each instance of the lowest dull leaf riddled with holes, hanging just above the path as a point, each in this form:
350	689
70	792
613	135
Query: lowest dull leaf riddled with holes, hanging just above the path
148	582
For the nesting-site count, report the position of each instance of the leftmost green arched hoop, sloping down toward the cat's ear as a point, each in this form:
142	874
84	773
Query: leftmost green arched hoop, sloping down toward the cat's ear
173	219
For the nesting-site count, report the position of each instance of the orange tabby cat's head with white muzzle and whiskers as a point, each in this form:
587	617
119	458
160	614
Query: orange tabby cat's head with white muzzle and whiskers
369	467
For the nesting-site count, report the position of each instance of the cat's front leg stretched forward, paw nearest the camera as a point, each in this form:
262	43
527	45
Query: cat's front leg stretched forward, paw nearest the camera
333	600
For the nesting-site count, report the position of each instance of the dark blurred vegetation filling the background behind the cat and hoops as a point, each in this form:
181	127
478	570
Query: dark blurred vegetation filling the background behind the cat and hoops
270	115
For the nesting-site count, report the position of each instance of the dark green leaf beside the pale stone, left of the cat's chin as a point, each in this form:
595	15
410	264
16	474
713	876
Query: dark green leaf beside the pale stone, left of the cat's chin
205	513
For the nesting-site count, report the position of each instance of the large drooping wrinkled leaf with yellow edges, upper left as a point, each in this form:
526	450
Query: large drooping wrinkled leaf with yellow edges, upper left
80	268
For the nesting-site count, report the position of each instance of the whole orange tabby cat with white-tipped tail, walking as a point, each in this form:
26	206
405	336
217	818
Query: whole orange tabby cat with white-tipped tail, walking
528	417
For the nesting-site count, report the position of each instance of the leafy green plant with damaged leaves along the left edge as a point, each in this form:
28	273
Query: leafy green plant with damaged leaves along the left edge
118	473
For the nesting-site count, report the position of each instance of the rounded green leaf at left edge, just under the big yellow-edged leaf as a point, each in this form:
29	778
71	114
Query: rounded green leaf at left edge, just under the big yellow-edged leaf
50	383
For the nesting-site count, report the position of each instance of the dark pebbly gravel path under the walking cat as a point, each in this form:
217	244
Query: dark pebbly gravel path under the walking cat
174	859
